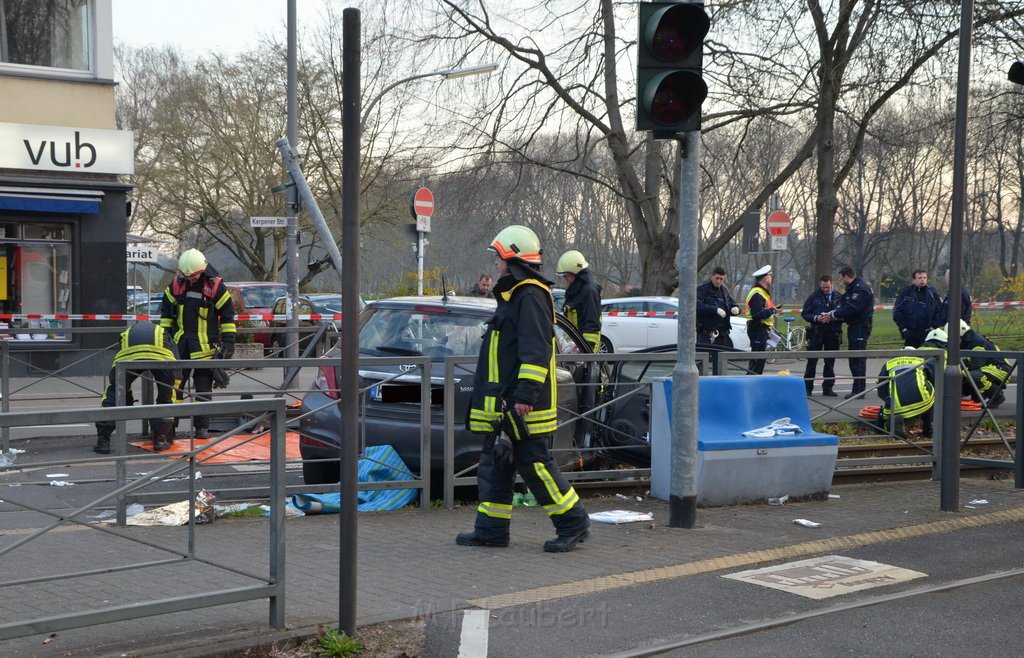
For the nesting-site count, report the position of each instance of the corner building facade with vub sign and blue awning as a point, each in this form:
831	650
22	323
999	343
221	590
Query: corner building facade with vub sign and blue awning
64	190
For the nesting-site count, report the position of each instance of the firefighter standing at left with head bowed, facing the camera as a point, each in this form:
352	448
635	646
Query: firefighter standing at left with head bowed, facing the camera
198	310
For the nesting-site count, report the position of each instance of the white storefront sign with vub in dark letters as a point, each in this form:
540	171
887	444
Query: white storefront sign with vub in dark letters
66	149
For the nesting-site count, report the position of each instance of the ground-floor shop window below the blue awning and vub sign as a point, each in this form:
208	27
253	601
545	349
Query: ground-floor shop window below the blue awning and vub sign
35	279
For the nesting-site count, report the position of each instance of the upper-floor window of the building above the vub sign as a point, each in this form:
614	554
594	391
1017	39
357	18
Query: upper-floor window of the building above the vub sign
46	33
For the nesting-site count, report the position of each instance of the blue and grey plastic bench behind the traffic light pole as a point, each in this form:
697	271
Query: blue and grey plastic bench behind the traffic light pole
734	469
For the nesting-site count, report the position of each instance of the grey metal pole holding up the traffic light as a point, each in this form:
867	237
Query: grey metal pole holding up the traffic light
684	486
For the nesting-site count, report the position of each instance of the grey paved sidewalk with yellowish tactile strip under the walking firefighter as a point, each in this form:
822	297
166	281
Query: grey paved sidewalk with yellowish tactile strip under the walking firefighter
410	566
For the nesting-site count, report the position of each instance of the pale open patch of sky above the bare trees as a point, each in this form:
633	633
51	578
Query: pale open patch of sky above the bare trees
199	27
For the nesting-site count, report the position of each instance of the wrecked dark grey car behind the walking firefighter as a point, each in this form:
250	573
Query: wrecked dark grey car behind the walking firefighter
438	328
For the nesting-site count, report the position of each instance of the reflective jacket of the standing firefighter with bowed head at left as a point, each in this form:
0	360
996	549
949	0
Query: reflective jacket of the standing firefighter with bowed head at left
200	316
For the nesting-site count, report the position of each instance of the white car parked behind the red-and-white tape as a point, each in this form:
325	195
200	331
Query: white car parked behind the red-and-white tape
631	324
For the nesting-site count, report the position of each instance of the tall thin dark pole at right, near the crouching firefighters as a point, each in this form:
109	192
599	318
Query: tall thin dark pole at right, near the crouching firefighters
950	494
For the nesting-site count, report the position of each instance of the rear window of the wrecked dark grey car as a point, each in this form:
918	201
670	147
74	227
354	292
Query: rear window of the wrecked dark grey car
421	331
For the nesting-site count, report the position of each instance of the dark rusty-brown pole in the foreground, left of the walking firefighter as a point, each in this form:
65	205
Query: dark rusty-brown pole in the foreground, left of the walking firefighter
349	453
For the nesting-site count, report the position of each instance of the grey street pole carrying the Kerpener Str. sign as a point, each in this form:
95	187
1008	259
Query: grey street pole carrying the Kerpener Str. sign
292	231
